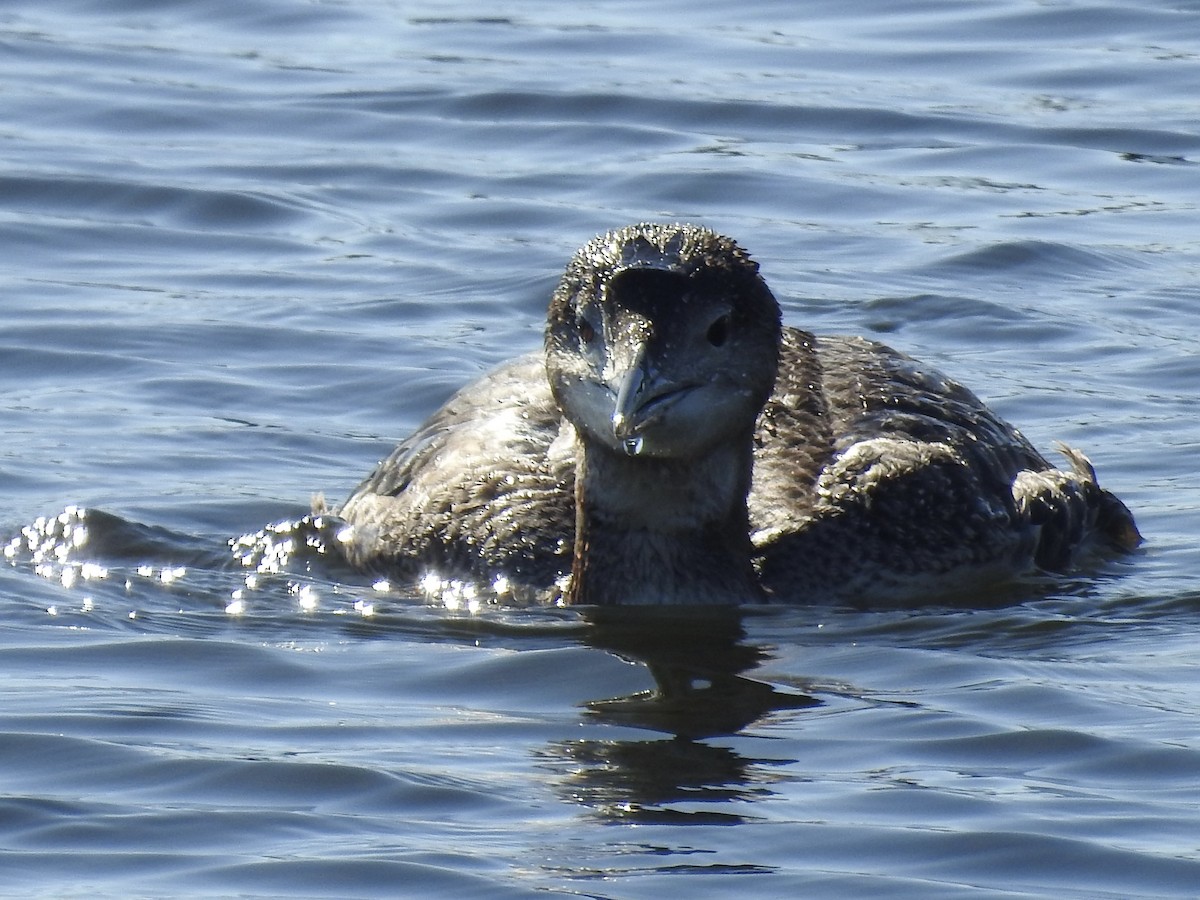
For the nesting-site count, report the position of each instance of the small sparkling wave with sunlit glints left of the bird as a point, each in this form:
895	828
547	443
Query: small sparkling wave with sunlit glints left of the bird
115	573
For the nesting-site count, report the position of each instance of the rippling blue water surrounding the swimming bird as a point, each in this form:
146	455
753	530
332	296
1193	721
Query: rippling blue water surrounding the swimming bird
247	247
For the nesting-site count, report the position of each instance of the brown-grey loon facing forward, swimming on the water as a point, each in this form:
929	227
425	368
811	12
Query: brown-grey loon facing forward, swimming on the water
675	445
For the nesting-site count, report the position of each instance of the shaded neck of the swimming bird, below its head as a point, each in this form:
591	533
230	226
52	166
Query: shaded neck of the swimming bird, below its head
663	532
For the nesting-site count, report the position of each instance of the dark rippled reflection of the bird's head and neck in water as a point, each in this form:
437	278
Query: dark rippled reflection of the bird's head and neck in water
699	665
